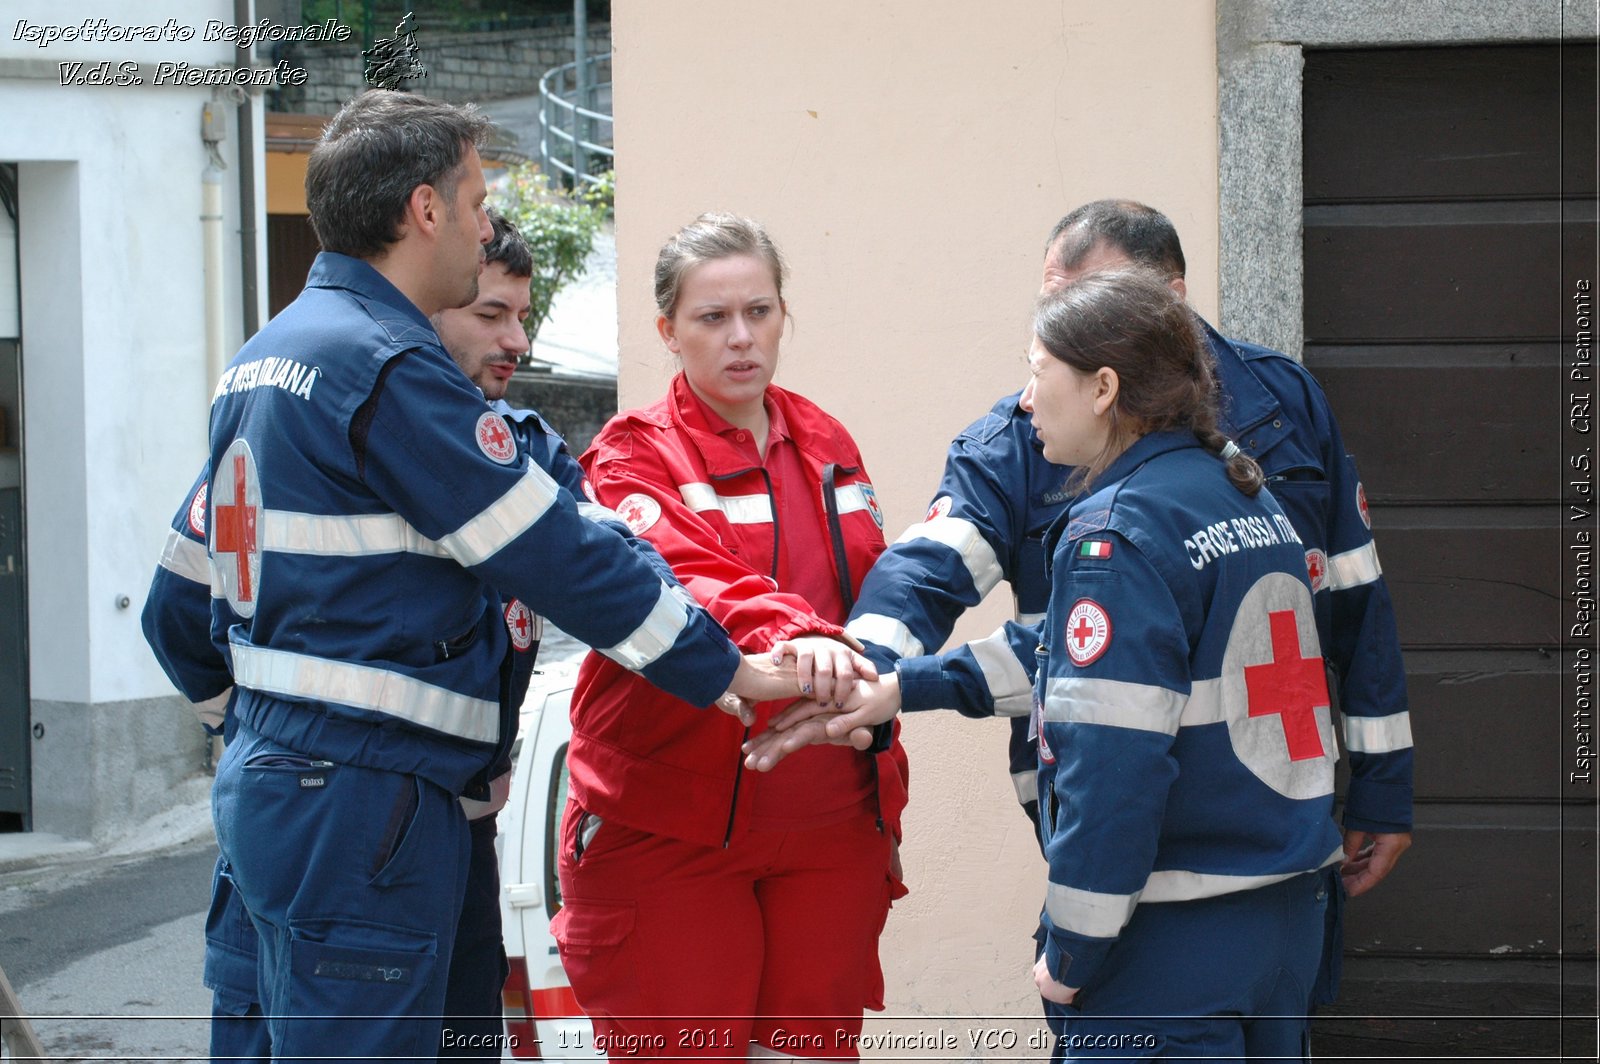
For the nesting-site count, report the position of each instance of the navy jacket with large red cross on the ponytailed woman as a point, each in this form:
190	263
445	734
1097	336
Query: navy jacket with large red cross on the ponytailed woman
1186	743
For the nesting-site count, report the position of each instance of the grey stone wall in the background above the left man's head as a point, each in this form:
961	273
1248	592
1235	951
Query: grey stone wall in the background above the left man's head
460	68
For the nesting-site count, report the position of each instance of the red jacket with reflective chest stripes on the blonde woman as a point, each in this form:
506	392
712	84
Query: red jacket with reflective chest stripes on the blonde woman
638	754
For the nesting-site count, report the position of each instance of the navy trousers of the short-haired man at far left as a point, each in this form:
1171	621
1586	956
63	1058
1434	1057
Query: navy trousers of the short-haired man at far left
354	879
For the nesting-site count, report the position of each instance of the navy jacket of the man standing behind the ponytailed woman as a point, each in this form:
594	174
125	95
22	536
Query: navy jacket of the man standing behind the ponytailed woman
988	522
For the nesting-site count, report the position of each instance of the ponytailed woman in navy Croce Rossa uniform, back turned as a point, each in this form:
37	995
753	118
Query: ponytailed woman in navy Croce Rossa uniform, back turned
1182	714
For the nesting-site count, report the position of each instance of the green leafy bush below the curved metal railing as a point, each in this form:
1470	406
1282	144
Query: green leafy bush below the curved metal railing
559	231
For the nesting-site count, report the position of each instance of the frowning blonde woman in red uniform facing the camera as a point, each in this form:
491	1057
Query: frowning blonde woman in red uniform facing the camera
692	889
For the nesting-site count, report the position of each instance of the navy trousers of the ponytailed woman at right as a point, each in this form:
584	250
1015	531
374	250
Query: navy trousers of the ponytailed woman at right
1225	978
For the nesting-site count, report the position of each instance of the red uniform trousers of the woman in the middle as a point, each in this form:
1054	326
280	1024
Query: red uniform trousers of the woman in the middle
678	950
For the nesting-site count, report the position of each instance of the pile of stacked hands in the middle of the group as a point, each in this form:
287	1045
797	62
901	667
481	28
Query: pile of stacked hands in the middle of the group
842	698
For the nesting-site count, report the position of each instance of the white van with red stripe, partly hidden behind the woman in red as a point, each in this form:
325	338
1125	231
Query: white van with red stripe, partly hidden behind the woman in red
543	1020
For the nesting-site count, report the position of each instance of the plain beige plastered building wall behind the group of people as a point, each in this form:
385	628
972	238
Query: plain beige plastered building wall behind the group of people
910	158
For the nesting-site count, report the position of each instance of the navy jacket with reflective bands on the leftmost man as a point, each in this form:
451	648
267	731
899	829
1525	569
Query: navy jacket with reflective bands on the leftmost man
364	506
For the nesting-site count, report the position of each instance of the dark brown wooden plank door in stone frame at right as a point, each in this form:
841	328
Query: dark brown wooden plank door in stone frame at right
1450	202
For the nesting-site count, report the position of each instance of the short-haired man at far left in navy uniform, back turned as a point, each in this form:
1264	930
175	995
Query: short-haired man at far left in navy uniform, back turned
364	511
